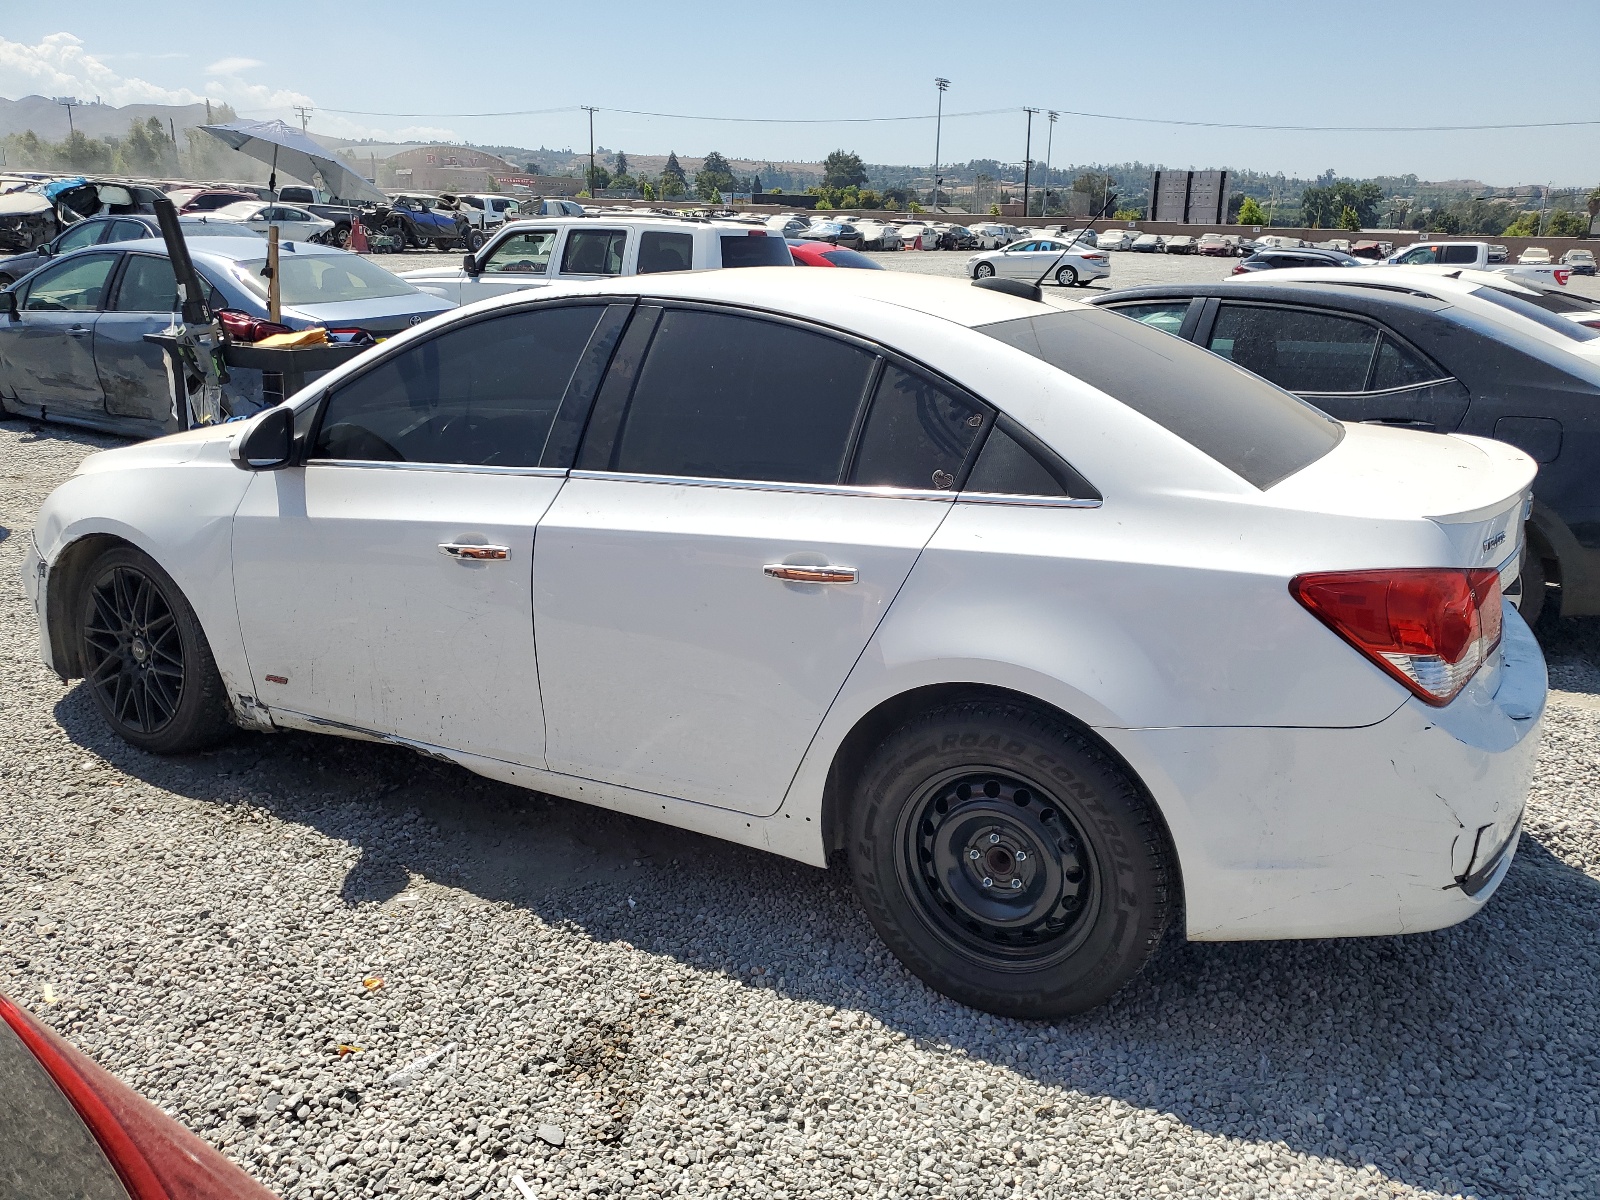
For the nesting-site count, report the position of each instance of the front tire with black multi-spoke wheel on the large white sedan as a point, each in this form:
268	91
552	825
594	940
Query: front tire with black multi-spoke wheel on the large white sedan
146	662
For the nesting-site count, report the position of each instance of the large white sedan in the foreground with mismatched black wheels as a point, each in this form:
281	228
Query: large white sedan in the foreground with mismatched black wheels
1062	628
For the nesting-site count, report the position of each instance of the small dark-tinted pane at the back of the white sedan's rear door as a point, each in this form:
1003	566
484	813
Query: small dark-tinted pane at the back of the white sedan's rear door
918	434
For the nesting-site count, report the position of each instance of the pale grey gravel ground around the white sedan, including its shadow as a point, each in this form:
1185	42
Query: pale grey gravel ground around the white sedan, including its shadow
594	1006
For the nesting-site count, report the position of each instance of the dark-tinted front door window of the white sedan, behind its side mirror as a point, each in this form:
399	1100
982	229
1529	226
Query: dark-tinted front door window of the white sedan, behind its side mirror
484	394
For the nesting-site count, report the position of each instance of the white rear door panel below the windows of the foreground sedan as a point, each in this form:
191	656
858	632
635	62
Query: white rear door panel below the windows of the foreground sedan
673	662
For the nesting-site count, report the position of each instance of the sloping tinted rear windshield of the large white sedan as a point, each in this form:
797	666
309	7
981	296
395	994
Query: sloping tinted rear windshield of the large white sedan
1252	428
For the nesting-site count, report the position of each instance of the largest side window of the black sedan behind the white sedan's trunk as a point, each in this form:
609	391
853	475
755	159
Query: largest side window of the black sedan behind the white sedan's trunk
1298	351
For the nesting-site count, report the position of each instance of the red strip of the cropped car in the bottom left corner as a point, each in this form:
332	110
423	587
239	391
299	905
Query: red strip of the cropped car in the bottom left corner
156	1158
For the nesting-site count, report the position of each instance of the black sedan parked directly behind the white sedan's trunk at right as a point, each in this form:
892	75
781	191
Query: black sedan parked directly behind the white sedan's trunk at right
1436	354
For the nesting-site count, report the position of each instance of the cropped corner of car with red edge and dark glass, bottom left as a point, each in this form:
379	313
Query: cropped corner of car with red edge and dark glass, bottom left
71	1129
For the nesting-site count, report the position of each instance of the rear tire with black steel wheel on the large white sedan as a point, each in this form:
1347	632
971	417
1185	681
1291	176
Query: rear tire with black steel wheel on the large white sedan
994	791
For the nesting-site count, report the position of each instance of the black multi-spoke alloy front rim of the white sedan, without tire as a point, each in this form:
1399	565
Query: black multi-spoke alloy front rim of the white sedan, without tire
132	654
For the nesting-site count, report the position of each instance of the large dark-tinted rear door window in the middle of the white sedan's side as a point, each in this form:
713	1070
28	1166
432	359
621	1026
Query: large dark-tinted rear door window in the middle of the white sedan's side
734	398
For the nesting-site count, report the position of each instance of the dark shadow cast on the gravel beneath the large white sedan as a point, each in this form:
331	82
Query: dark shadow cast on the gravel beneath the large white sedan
1460	1062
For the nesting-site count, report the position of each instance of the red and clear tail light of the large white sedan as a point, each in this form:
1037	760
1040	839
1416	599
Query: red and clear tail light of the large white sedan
1430	628
